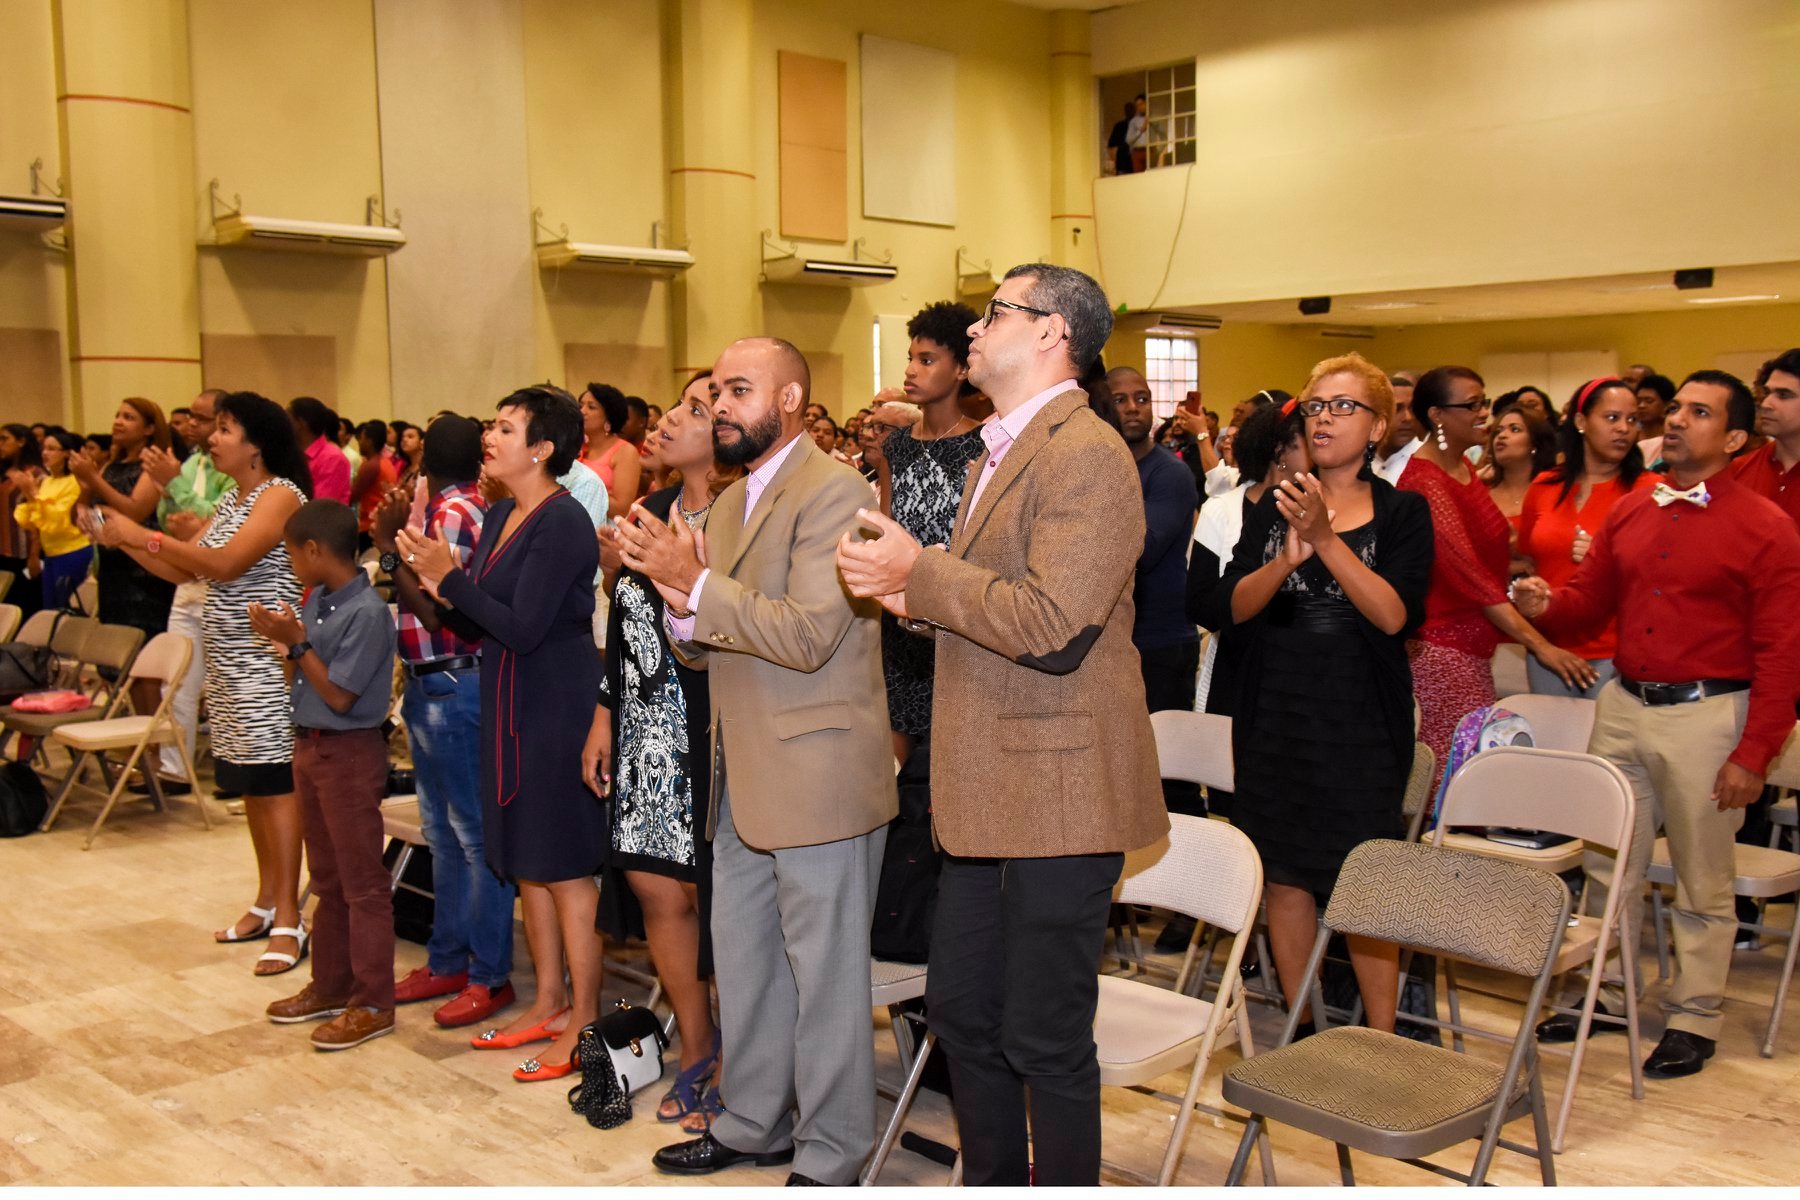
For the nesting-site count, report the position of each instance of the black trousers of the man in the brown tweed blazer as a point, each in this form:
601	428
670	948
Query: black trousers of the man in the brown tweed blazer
1012	990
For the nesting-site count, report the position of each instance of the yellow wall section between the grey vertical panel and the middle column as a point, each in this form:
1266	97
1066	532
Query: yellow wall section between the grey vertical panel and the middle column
595	141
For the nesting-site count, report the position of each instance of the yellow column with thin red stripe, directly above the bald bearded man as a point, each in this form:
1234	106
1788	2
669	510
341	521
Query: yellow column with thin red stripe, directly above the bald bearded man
712	179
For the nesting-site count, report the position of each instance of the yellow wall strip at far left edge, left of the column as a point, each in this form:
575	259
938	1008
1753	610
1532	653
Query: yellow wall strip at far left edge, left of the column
31	278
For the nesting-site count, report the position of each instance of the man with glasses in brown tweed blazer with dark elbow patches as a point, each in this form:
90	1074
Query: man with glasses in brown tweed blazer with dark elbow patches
1043	762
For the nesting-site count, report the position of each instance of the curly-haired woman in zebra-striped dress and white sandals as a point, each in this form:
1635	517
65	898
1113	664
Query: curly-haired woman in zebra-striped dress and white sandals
242	555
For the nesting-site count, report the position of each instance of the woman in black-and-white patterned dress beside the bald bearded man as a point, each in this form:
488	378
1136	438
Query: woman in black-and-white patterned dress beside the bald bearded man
651	739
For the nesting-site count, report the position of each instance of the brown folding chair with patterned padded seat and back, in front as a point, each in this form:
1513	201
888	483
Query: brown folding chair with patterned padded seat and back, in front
1392	1097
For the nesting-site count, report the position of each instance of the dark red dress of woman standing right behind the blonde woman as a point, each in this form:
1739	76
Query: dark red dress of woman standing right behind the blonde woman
1453	670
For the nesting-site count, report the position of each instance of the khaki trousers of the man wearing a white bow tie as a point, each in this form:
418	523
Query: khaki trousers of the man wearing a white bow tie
1671	757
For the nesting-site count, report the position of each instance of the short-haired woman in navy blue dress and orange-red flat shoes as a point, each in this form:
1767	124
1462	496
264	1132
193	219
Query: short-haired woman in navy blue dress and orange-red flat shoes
528	595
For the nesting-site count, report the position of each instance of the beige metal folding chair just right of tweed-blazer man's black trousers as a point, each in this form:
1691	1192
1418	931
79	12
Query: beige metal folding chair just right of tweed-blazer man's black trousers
1209	872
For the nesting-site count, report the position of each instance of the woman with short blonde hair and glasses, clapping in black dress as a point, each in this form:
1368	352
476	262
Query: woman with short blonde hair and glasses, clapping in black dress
1326	582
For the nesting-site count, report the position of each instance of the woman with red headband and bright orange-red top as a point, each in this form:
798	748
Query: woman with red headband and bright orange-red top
1570	503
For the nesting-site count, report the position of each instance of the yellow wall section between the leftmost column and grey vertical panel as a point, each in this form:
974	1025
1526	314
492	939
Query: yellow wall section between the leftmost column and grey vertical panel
285	116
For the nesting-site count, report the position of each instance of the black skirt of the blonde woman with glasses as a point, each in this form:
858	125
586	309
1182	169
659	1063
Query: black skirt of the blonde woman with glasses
1317	773
